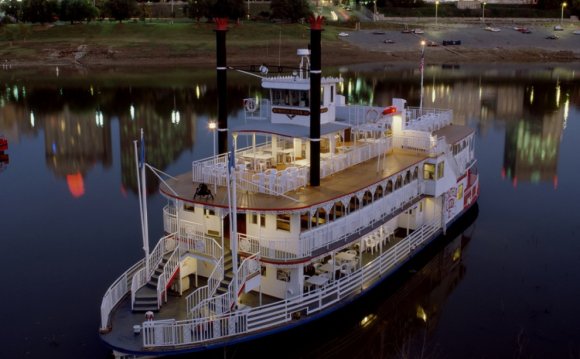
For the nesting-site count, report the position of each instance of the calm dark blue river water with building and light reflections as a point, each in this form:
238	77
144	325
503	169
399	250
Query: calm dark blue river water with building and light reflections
505	284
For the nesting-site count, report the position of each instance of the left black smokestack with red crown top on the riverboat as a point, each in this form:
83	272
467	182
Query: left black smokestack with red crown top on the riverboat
220	35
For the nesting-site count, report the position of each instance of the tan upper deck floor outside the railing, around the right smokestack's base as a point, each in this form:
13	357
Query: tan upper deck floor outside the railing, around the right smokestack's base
350	180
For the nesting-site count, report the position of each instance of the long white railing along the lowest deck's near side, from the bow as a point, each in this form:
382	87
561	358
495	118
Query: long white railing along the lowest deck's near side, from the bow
199	330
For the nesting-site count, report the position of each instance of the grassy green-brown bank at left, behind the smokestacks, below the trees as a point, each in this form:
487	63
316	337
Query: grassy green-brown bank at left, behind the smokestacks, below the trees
132	40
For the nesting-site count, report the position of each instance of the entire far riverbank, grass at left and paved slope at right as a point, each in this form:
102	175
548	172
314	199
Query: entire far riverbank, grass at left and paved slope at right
188	44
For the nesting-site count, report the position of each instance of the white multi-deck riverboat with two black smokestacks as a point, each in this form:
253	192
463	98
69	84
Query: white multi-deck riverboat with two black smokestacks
324	202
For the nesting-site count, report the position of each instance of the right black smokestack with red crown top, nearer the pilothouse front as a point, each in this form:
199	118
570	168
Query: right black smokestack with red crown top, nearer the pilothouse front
315	74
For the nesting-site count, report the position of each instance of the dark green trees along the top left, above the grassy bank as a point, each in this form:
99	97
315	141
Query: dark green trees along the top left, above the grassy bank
44	11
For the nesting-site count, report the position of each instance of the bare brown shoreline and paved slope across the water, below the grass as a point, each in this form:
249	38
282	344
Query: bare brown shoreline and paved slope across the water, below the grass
358	48
